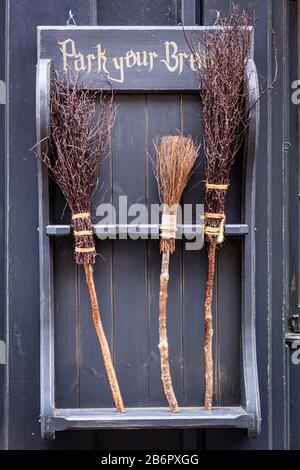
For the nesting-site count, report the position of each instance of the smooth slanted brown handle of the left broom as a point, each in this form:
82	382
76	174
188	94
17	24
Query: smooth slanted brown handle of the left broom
89	275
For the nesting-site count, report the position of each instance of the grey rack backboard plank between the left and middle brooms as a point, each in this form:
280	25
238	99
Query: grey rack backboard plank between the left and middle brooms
129	256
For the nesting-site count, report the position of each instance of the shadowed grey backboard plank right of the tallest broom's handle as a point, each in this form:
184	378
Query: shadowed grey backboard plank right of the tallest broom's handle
228	308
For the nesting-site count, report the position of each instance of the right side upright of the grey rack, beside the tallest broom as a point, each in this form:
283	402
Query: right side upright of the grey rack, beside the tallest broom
250	386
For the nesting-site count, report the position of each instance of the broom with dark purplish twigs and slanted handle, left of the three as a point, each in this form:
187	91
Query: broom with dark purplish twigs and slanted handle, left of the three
78	140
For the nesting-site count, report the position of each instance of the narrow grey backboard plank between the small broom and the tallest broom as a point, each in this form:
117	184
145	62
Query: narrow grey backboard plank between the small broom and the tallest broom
194	263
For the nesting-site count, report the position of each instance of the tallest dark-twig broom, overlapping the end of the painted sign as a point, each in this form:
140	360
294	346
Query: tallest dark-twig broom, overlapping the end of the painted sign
221	73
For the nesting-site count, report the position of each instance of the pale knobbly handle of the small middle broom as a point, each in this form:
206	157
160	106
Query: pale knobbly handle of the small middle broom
163	338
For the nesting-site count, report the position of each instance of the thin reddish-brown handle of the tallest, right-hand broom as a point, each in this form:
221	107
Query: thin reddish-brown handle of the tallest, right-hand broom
208	346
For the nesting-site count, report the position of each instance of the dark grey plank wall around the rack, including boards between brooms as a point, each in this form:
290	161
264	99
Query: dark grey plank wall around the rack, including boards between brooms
128	276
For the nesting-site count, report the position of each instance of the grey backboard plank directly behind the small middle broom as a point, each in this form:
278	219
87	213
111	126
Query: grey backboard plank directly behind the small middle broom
163	119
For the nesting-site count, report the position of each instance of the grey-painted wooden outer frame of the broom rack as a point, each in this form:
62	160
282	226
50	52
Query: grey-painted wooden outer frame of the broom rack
247	415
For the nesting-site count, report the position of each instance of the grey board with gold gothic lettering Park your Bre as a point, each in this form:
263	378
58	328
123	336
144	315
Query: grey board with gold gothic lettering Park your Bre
138	58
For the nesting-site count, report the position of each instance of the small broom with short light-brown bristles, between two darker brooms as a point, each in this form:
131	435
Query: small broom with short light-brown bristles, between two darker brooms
175	157
